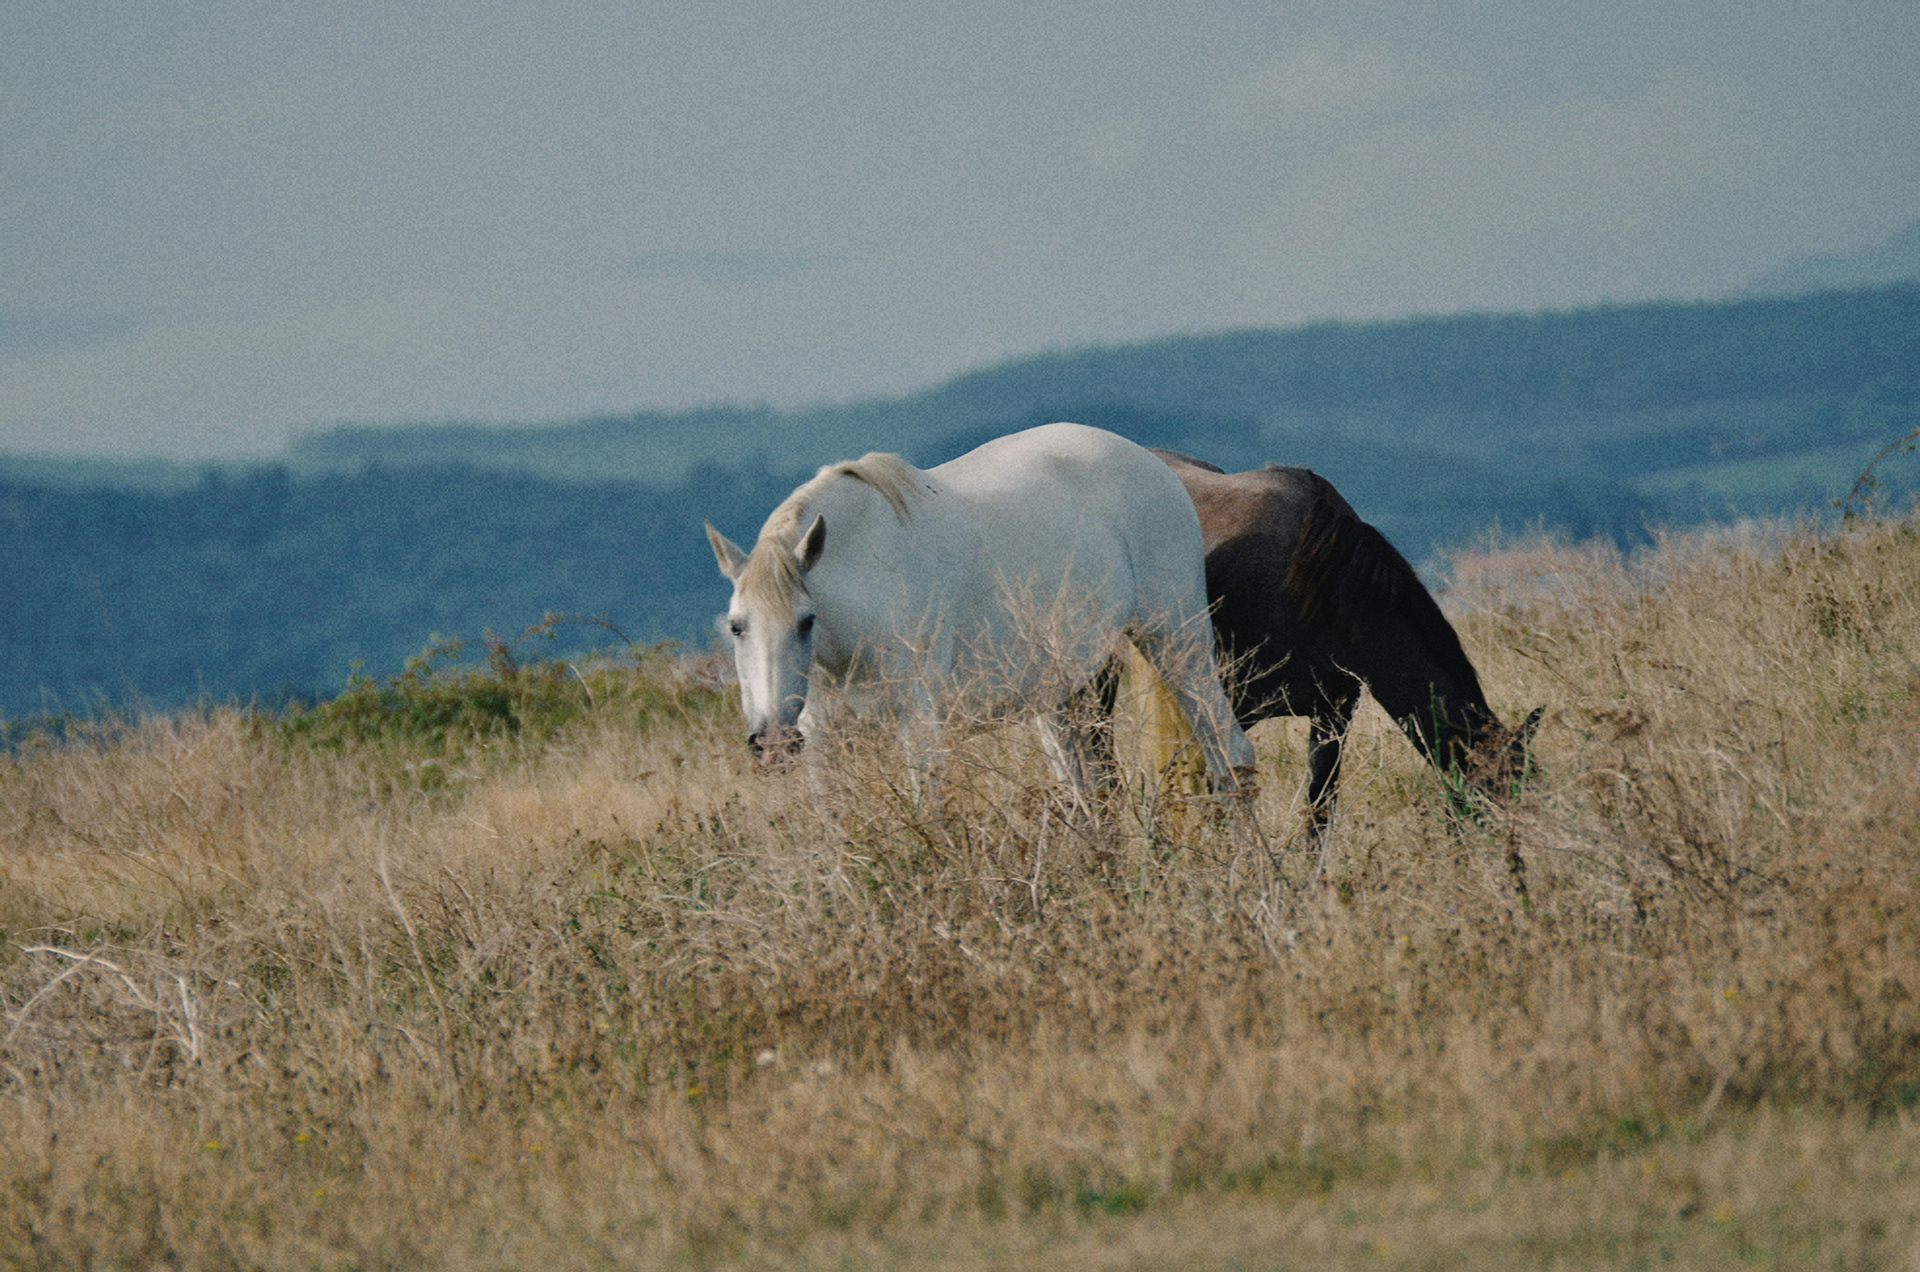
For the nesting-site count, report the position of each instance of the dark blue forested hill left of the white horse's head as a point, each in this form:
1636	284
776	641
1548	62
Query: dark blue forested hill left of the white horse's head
268	587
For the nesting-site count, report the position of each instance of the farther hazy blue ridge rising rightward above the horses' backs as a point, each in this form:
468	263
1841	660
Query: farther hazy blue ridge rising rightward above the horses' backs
1595	420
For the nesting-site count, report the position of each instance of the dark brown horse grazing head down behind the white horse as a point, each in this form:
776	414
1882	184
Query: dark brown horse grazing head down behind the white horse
1314	604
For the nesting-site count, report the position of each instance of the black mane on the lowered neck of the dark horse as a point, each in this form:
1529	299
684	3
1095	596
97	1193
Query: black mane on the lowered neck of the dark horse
1349	575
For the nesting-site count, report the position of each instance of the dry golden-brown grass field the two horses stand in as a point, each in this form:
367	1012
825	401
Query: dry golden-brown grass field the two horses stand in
381	992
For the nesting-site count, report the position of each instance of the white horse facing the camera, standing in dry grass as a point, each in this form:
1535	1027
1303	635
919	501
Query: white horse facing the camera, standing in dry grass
1007	575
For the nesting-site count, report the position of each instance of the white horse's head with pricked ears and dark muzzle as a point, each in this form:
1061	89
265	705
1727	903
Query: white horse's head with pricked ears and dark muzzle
771	622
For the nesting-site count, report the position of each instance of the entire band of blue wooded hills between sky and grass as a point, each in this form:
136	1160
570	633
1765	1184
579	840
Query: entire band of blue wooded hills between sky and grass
162	583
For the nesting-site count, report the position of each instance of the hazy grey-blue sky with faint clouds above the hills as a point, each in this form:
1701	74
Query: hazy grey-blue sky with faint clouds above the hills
224	224
